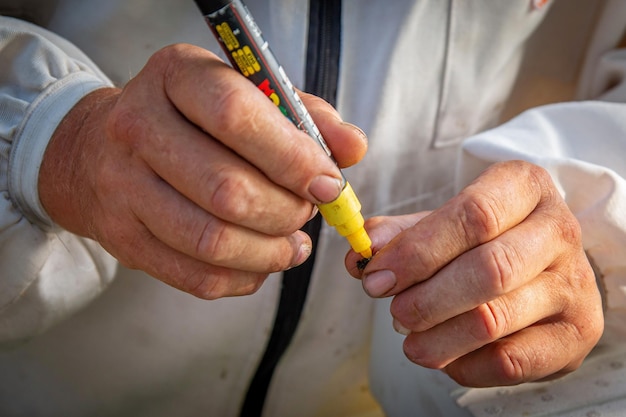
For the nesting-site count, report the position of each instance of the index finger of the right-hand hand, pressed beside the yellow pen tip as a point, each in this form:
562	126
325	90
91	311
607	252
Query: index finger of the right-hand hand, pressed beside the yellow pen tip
502	197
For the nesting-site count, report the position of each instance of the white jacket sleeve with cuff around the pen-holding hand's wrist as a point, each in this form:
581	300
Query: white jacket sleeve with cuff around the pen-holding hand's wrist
46	273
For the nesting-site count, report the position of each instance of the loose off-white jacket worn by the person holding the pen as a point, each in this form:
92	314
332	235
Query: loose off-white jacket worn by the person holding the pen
84	337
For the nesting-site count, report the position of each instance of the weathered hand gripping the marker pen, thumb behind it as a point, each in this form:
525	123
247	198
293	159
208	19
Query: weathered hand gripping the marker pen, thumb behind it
191	174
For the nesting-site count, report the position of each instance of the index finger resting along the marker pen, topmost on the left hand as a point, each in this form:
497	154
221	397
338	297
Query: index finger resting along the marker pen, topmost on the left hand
233	110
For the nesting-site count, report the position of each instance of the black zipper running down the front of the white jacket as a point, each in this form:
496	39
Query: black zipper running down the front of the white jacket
321	77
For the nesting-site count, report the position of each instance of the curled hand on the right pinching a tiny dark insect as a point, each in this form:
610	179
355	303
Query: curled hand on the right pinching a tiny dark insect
494	287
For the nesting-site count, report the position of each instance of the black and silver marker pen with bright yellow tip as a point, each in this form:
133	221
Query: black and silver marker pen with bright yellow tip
248	52
